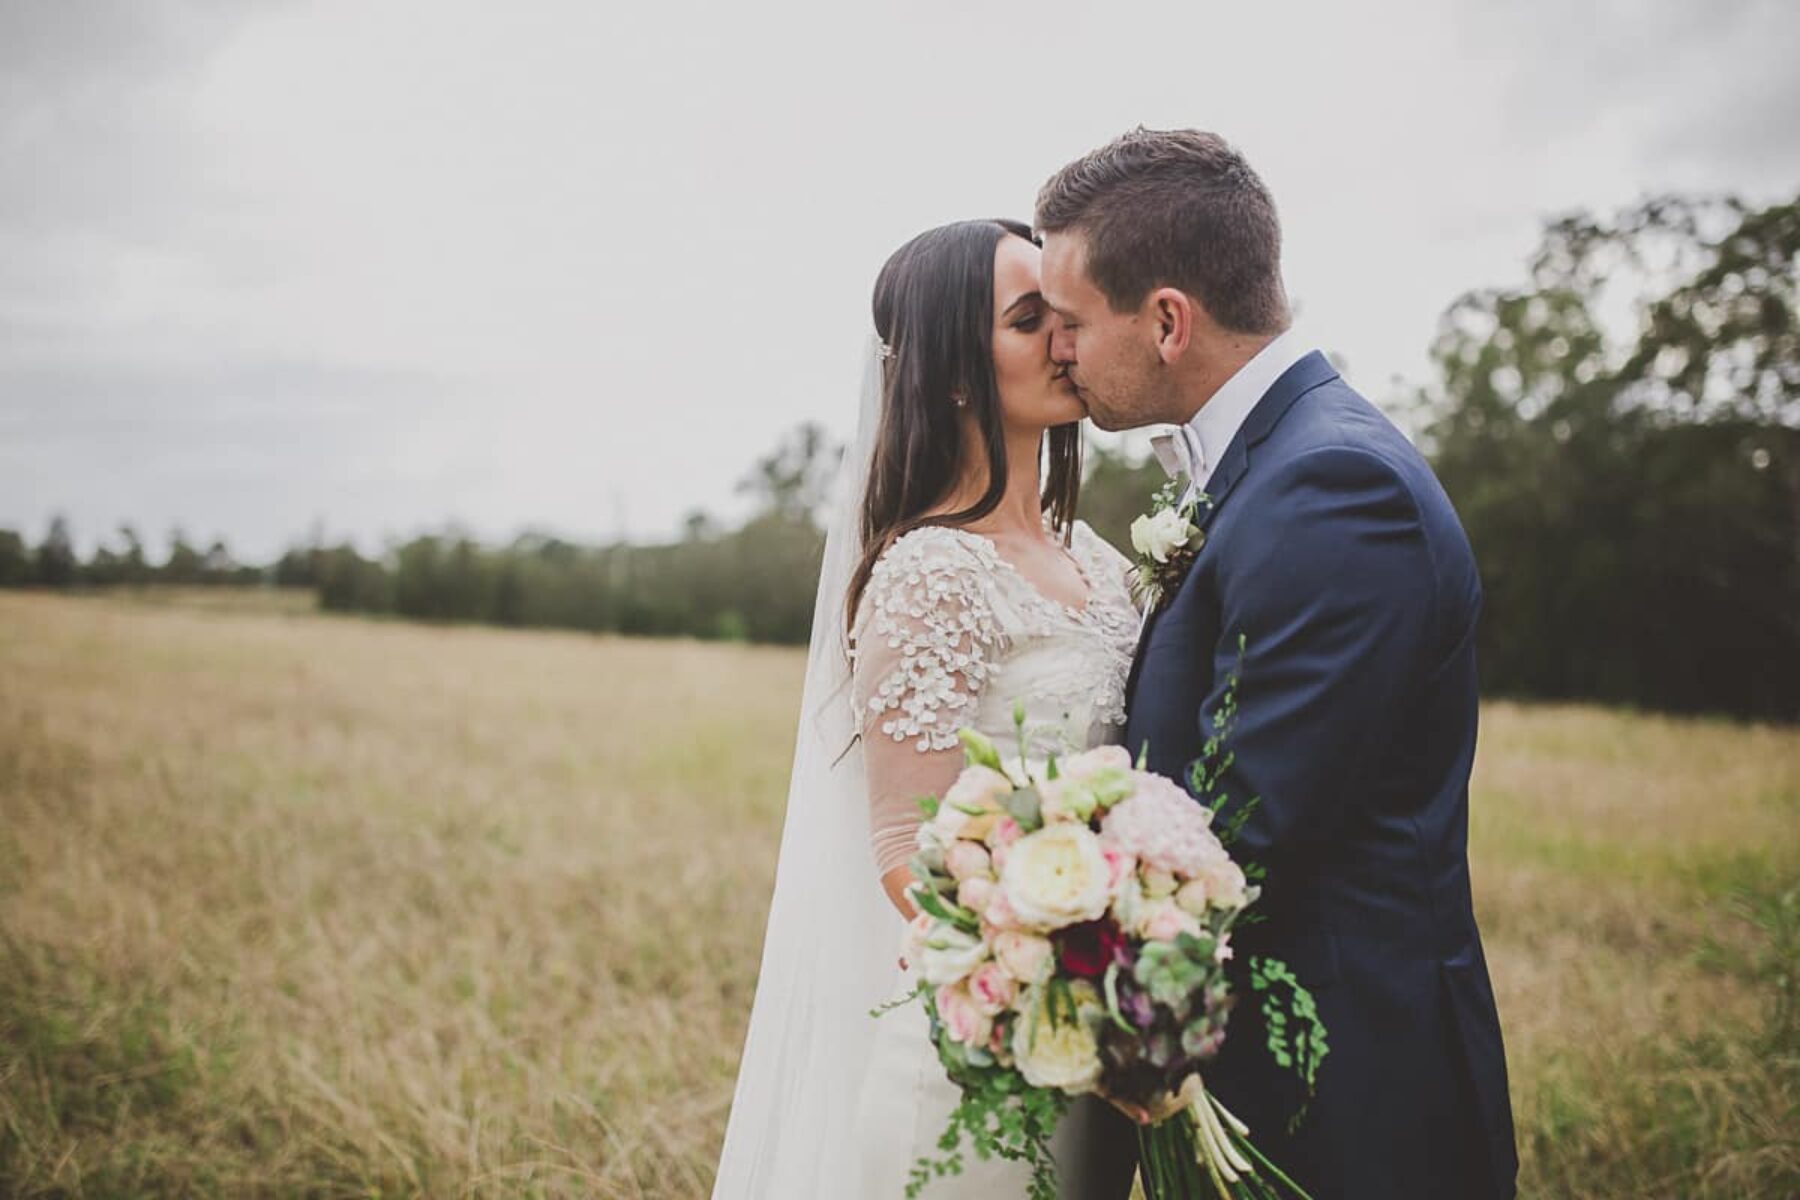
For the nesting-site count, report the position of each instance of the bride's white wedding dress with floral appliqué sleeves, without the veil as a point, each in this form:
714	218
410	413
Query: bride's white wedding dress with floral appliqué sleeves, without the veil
949	634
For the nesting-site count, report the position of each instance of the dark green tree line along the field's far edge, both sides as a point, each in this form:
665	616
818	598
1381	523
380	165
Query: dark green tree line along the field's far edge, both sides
1632	487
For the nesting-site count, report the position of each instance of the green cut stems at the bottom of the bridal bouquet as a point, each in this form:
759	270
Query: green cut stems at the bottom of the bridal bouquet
1207	1152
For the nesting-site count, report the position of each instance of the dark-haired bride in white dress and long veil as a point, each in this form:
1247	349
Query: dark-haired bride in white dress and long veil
957	582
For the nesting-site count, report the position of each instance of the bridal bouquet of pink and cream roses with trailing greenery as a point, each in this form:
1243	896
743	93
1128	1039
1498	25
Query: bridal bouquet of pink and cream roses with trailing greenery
1075	920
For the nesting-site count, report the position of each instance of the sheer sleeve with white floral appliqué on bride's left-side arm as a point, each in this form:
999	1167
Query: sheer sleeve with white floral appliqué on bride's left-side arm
926	647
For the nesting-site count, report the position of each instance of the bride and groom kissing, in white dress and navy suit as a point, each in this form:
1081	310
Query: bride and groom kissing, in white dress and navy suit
1329	578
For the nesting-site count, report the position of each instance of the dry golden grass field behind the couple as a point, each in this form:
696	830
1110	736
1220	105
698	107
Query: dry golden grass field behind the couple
298	906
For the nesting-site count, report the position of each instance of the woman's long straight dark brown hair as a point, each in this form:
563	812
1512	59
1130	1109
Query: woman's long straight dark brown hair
935	310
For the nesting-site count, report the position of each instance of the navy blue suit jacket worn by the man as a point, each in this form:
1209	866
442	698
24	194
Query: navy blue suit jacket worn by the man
1335	551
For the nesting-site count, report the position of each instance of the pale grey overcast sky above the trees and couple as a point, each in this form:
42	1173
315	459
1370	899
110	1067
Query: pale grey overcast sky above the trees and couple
575	265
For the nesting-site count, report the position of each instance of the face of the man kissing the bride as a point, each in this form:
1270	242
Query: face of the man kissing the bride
1110	357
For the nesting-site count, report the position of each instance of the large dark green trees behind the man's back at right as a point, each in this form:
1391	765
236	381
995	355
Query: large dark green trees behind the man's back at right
1635	501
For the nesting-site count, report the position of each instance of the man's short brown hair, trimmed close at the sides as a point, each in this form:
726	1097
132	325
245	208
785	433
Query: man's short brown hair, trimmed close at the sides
1174	208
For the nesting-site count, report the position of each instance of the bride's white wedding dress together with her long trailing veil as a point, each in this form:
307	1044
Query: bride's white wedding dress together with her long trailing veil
829	1102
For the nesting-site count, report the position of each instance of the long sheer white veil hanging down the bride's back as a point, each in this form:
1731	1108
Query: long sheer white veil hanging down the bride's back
832	938
